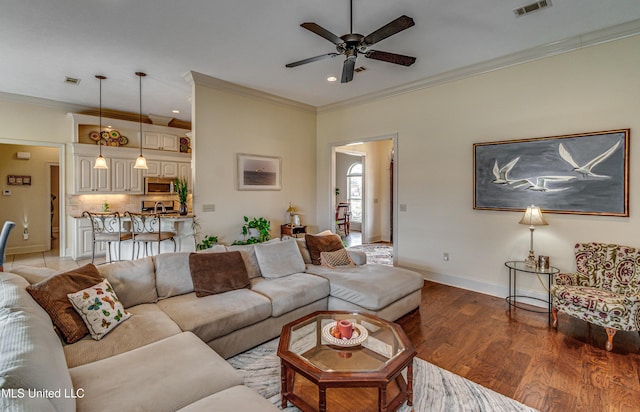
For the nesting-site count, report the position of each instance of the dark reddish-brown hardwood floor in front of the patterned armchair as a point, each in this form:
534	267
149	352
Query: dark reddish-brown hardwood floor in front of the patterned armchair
472	335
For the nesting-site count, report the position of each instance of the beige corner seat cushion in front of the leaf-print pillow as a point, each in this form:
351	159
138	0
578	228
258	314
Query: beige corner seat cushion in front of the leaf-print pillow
147	324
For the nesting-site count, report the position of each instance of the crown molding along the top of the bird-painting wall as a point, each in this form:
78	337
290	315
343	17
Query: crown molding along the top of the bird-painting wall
570	44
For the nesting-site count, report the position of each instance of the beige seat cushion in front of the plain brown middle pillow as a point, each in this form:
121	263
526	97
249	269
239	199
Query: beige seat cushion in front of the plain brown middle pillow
217	315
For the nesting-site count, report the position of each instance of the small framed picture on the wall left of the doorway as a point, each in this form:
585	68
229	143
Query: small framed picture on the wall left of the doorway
259	172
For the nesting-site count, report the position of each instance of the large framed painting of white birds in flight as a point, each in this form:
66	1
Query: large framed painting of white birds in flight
584	173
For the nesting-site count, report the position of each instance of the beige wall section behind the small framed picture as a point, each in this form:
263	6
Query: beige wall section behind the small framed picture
227	123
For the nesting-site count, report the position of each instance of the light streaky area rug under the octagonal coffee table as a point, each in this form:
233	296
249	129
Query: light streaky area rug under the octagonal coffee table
435	389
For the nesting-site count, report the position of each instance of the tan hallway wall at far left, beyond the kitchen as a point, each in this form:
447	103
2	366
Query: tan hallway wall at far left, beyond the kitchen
28	205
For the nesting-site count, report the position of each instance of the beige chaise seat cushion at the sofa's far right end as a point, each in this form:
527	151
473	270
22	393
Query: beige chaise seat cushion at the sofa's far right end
370	286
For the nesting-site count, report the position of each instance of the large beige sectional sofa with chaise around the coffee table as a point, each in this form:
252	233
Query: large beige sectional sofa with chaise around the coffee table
160	359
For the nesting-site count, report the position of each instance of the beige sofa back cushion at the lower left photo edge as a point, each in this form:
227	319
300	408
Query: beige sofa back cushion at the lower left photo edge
32	356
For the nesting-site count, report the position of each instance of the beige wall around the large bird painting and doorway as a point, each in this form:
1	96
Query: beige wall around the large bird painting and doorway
592	89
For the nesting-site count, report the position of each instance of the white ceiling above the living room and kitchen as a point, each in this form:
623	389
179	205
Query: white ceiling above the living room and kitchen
248	42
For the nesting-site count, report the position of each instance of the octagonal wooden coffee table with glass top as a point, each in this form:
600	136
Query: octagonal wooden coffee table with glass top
318	375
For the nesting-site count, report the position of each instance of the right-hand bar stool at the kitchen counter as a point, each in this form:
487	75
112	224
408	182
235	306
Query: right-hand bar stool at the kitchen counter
147	228
